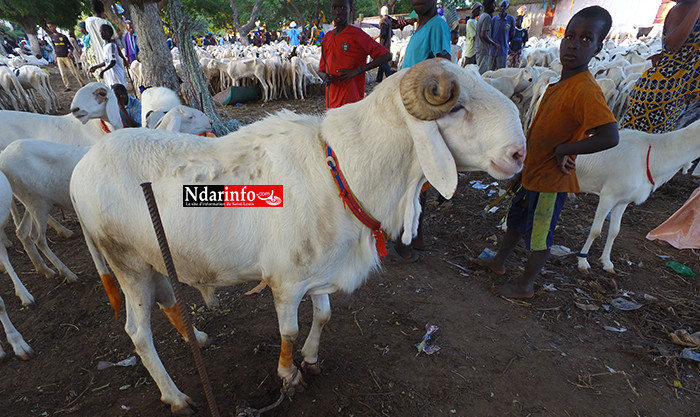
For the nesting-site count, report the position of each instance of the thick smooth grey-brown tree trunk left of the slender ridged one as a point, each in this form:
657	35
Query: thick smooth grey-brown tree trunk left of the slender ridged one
154	55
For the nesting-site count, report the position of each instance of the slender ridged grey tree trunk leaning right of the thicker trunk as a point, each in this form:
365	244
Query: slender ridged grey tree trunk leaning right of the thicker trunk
194	85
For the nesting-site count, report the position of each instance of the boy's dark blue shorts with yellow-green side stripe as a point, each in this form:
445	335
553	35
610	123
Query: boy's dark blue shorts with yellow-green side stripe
534	215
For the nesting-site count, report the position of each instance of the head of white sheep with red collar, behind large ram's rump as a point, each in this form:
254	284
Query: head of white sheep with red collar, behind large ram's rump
96	101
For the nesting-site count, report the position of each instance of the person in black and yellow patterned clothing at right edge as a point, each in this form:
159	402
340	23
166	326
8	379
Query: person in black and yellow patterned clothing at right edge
662	93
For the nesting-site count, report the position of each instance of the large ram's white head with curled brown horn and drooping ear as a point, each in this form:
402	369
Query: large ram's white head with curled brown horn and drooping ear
457	122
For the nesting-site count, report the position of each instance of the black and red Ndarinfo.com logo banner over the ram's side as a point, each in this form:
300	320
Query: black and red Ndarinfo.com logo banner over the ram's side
232	196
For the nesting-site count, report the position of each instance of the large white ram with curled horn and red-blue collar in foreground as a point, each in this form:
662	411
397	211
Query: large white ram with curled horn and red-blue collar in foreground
427	122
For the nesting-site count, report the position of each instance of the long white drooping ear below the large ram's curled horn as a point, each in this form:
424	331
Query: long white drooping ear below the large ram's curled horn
435	158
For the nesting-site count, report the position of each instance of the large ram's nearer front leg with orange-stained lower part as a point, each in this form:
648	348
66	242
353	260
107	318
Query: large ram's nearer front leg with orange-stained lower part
287	307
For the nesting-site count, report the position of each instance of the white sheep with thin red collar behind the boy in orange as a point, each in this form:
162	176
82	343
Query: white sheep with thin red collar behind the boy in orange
618	184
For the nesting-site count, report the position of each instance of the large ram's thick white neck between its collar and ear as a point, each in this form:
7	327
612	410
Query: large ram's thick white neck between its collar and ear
377	158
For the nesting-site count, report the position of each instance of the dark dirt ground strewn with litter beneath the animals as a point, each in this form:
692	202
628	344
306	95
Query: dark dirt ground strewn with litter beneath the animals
543	357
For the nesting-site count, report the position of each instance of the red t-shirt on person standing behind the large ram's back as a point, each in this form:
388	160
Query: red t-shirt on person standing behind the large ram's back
347	50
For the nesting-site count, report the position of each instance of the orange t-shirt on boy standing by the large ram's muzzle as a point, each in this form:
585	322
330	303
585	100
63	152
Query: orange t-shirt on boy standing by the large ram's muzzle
568	111
